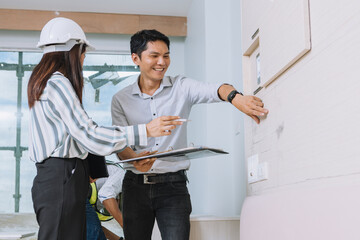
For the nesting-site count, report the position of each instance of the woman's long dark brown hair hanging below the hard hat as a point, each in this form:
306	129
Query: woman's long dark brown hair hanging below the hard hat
68	63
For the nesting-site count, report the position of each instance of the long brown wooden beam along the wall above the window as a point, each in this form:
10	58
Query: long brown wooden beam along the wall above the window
13	19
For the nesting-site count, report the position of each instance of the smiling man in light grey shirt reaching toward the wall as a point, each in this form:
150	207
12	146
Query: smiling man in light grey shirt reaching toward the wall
157	189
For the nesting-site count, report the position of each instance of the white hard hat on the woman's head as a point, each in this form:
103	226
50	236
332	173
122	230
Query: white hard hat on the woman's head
61	34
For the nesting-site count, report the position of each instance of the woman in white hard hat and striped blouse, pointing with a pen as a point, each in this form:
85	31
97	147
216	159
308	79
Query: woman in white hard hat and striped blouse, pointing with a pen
62	134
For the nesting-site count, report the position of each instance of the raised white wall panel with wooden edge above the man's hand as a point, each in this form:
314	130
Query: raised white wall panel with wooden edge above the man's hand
284	37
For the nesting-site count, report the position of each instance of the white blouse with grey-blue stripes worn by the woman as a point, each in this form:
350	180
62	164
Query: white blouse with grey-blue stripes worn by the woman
60	127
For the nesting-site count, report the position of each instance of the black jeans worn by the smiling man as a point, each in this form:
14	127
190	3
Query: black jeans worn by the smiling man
169	203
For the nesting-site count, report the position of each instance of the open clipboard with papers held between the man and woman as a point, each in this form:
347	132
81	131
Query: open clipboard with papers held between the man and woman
181	154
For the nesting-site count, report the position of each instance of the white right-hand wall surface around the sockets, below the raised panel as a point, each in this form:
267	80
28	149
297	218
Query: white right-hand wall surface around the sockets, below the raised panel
312	133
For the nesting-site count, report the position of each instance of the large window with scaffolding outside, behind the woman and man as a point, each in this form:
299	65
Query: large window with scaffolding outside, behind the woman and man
105	74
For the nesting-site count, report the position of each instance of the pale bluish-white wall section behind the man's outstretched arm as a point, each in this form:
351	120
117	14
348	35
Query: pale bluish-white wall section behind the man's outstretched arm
213	54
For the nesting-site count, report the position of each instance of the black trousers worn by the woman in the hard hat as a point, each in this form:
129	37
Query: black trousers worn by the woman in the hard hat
59	192
